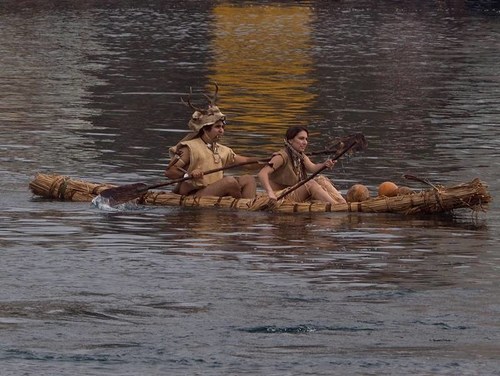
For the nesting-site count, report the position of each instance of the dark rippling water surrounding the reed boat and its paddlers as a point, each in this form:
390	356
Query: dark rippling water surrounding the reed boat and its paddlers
91	90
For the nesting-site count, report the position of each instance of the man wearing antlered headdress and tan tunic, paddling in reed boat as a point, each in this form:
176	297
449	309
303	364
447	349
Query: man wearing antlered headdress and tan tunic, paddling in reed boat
201	151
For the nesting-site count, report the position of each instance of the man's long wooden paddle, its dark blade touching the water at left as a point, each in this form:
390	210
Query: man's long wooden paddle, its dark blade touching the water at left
124	193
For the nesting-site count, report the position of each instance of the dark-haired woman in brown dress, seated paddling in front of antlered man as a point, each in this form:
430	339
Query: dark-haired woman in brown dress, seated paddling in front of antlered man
290	165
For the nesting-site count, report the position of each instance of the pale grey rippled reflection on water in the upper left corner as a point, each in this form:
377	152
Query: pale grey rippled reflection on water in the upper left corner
43	111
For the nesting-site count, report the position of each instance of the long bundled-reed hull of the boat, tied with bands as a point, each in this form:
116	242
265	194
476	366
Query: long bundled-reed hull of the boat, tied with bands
472	195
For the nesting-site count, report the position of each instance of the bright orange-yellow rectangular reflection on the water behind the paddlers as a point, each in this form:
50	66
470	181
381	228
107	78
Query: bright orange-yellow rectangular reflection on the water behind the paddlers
262	61
